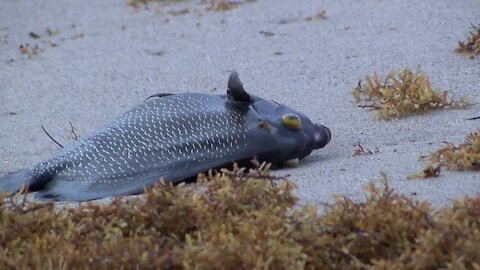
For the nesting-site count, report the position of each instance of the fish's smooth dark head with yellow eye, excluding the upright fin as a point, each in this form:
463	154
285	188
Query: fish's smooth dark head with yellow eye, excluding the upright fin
292	129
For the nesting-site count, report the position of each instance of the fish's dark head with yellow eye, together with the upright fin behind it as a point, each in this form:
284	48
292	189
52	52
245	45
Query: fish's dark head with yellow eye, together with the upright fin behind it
293	134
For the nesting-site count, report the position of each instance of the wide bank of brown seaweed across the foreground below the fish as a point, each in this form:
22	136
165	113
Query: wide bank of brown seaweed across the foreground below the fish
240	219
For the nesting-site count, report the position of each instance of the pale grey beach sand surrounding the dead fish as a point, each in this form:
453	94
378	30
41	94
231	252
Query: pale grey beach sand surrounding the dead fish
91	80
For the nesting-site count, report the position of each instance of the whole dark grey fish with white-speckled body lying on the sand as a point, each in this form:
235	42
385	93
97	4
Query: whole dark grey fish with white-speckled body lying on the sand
174	137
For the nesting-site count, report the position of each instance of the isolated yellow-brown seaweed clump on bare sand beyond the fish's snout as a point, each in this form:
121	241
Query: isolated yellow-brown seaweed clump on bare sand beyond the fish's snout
402	94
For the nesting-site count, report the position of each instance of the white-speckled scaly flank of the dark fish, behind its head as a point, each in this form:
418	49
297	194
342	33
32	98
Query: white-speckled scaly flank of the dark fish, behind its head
152	135
